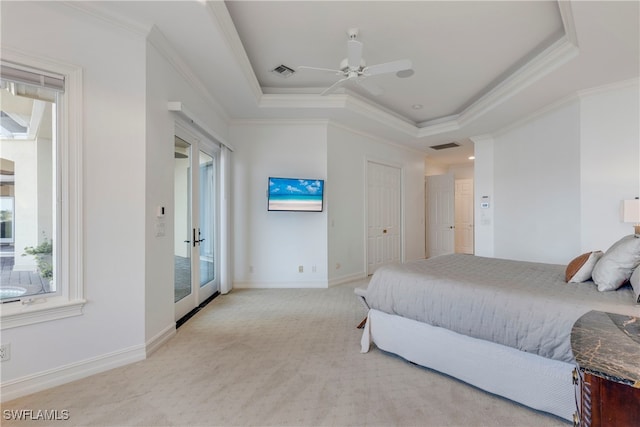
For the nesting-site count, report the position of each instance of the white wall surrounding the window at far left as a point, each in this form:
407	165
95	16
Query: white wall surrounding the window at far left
111	330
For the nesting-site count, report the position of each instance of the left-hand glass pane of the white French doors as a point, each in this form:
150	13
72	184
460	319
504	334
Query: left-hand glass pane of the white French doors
182	225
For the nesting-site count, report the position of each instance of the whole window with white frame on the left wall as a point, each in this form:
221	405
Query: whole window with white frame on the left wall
40	236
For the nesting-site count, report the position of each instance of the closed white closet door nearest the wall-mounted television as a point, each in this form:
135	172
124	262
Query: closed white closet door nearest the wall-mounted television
383	215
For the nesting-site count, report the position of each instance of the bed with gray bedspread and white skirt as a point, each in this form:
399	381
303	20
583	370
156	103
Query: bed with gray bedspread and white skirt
501	325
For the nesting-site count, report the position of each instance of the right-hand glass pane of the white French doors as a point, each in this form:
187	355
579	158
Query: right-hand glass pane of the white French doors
206	232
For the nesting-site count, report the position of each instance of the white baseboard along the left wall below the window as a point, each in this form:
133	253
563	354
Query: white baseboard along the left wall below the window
54	377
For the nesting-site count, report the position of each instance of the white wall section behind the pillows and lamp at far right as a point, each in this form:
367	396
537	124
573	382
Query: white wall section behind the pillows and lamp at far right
610	162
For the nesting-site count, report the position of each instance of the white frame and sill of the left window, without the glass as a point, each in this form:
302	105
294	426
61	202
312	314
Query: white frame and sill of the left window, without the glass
69	300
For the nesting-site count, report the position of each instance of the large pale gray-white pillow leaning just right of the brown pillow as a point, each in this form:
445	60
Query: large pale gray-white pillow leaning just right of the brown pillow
617	264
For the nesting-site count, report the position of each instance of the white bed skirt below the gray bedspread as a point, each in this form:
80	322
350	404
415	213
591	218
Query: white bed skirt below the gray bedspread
534	381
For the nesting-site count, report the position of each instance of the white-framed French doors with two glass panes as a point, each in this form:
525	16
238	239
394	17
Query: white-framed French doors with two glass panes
195	222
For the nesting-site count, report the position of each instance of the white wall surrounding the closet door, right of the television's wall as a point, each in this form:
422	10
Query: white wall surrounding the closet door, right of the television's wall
348	153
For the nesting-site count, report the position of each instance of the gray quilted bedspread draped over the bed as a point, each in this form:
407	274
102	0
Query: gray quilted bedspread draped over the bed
524	305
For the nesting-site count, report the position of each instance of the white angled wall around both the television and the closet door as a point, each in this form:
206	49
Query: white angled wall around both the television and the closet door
269	246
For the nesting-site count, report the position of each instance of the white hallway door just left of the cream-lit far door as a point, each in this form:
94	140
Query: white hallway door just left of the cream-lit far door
440	204
